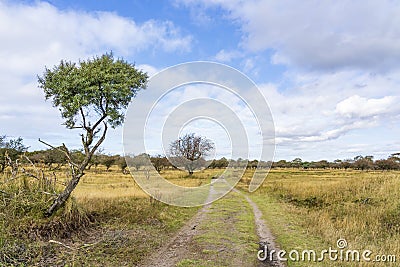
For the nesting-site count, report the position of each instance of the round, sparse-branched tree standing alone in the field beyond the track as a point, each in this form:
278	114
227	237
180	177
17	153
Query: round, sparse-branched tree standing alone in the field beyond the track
189	152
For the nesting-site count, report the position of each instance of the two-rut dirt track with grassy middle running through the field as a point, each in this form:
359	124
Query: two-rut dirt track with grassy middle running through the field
220	234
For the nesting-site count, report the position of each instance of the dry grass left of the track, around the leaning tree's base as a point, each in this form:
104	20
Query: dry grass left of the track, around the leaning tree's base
125	226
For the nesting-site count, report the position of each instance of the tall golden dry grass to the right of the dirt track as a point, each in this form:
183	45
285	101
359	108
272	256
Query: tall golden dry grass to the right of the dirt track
362	207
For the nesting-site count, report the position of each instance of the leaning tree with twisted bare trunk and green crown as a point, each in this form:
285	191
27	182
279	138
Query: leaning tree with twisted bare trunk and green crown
91	95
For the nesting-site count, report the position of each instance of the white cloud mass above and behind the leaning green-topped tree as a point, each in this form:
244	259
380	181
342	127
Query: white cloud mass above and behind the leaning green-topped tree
38	35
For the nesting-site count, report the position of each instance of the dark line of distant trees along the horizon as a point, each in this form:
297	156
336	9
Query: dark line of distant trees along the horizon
53	159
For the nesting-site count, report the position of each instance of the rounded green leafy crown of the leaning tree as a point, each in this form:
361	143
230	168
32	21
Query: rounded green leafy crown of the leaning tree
102	84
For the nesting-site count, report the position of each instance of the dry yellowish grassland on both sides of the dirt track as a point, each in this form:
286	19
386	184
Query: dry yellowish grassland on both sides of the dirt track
305	209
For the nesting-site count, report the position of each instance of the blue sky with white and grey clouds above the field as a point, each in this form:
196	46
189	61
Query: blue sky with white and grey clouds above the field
329	70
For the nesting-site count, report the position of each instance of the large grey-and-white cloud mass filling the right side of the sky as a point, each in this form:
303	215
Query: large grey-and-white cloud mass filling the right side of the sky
341	81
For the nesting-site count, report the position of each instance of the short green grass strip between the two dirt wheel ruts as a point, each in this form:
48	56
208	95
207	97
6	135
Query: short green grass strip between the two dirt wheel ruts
227	236
